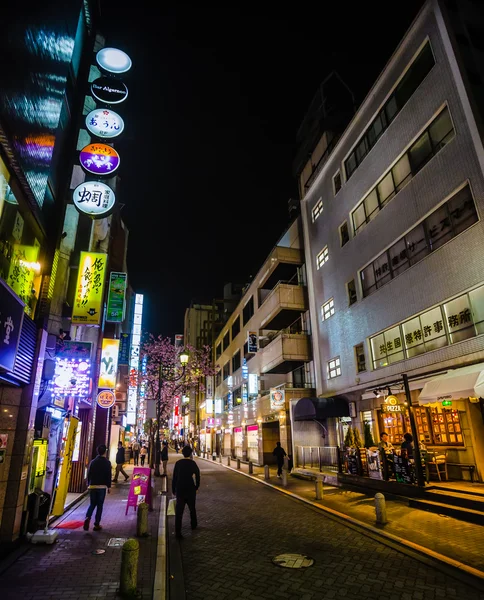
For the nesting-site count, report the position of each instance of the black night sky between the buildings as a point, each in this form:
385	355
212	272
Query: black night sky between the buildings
216	96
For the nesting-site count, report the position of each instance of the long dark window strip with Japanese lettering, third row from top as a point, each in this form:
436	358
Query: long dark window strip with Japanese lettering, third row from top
445	223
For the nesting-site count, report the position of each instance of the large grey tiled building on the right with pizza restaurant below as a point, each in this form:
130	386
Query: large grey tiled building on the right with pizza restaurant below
393	238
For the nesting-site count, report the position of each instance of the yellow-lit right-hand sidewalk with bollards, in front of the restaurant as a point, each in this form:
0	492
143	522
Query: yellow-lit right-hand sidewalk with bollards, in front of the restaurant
458	540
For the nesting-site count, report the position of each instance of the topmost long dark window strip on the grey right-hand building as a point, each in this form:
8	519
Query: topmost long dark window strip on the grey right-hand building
414	76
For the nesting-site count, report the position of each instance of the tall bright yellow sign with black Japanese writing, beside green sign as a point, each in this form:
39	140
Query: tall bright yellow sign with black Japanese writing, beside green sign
90	286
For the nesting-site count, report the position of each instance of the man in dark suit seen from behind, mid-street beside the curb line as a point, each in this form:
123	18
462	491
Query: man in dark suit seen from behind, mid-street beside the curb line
185	489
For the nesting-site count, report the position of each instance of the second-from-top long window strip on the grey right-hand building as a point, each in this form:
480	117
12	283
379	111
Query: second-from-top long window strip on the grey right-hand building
432	140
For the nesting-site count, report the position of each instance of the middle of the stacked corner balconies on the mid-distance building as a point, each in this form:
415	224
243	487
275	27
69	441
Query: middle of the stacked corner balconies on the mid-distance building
284	303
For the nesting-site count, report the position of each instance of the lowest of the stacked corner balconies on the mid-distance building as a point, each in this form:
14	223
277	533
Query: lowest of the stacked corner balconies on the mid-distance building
285	353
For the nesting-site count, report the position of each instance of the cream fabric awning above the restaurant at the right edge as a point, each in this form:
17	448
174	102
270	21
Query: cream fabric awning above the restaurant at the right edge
466	382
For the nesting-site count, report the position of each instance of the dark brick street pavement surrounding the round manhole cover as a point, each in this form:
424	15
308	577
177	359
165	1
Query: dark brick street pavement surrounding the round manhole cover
244	524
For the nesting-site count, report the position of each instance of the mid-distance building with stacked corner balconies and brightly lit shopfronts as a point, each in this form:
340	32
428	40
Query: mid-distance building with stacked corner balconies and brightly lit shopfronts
263	354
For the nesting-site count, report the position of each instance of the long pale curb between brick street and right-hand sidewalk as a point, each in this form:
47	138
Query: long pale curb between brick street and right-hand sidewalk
469	575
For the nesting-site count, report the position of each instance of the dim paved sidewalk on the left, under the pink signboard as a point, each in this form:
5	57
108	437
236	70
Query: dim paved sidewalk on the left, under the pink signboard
68	570
